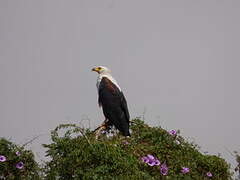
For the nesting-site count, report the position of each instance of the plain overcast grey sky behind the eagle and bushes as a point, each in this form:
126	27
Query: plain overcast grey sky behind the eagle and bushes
178	60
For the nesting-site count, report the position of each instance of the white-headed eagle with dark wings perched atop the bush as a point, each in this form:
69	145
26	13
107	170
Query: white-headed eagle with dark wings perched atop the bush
112	101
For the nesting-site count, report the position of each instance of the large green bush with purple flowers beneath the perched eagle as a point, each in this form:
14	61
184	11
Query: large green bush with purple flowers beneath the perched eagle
150	153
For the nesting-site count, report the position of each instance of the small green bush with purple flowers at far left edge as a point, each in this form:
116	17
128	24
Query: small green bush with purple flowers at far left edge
16	163
